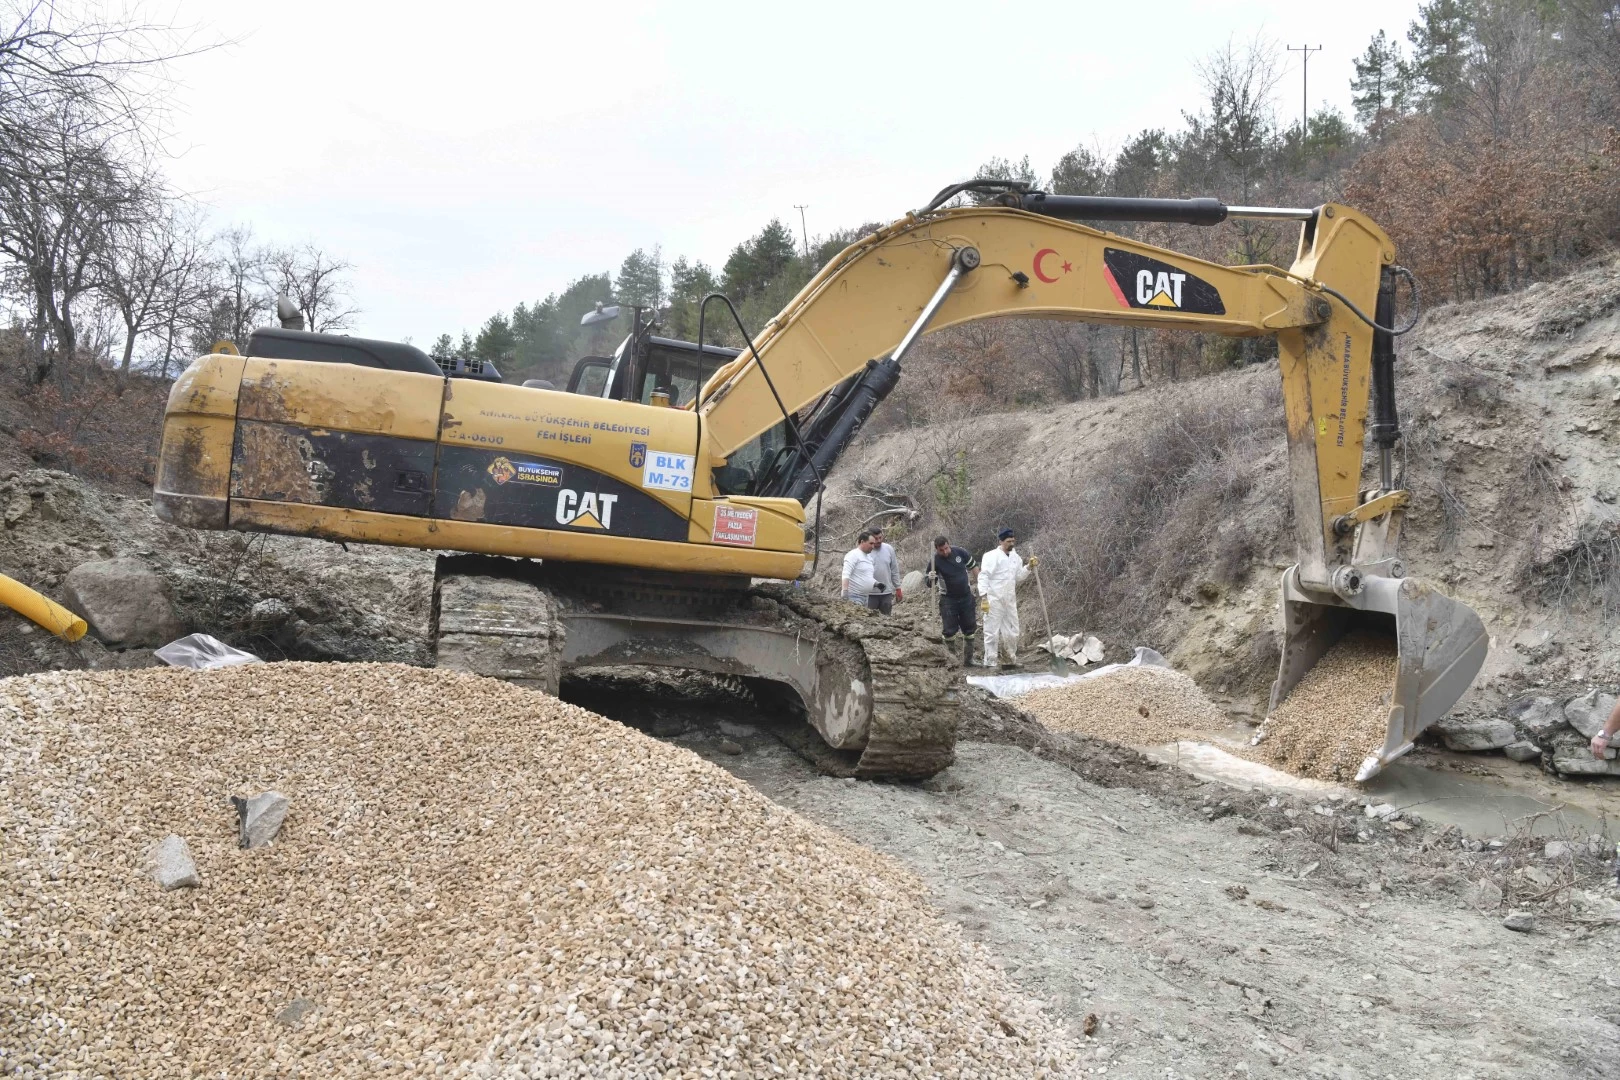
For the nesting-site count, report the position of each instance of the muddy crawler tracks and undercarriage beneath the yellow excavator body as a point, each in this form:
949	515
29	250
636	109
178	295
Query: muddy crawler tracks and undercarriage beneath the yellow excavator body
859	695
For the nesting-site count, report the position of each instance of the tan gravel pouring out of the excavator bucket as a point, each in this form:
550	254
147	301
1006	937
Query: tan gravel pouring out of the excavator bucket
1337	715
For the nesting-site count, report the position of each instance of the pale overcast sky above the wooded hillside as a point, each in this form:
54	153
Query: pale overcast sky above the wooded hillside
471	156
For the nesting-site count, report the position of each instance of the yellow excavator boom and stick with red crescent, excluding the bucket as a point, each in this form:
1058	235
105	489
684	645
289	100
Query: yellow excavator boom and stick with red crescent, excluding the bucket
927	273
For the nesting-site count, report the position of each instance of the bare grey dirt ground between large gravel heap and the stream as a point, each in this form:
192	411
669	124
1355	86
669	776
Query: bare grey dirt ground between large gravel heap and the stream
1201	932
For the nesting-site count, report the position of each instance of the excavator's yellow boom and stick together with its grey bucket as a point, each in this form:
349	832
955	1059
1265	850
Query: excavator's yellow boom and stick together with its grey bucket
1021	260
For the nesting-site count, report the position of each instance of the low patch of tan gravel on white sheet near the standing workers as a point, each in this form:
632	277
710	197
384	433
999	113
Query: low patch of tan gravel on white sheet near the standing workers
1136	707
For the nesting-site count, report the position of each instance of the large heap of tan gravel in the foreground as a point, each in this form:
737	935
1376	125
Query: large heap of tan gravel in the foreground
472	880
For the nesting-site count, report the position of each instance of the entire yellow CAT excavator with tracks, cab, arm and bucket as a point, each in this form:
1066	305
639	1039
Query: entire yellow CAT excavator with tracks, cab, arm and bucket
631	517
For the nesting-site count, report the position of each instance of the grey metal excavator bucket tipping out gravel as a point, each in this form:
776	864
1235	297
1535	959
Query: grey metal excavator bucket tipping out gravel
1441	645
